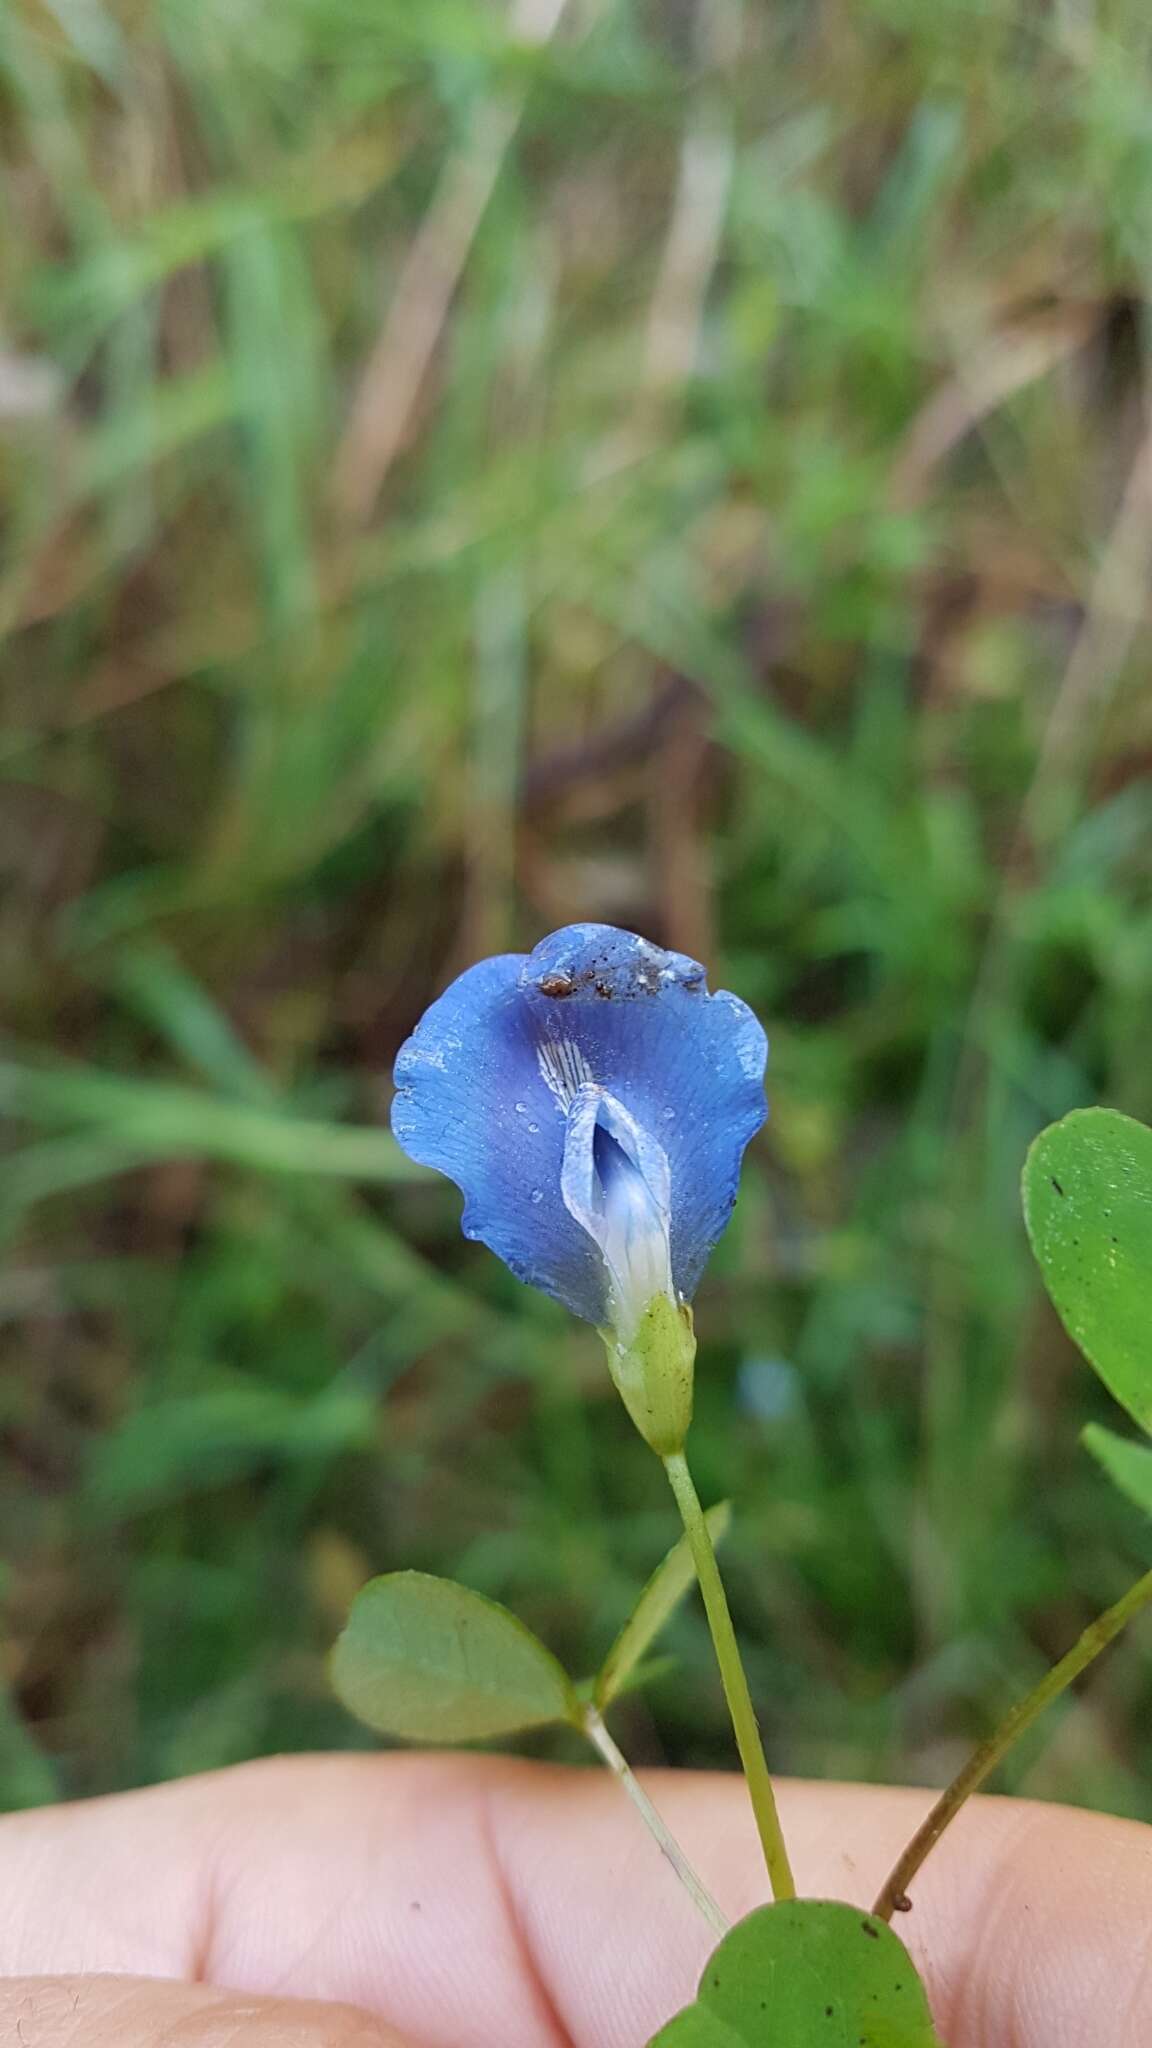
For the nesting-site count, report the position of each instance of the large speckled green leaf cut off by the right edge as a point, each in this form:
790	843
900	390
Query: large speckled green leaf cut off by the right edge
1089	1213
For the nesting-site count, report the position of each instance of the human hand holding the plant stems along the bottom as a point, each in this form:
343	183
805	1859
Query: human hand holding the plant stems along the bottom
479	1904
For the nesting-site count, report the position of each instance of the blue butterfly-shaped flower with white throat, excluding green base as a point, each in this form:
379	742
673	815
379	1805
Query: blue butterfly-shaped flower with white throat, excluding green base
593	1105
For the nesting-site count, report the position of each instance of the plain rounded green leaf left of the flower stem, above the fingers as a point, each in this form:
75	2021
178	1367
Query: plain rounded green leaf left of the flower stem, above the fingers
431	1662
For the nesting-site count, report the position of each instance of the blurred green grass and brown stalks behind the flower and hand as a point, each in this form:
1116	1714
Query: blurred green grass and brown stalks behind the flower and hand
673	462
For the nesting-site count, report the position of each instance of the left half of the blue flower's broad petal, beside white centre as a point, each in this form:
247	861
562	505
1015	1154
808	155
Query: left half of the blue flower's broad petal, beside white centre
470	1101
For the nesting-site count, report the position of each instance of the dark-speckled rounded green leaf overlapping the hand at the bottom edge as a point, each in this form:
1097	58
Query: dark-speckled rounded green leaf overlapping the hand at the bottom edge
807	1973
